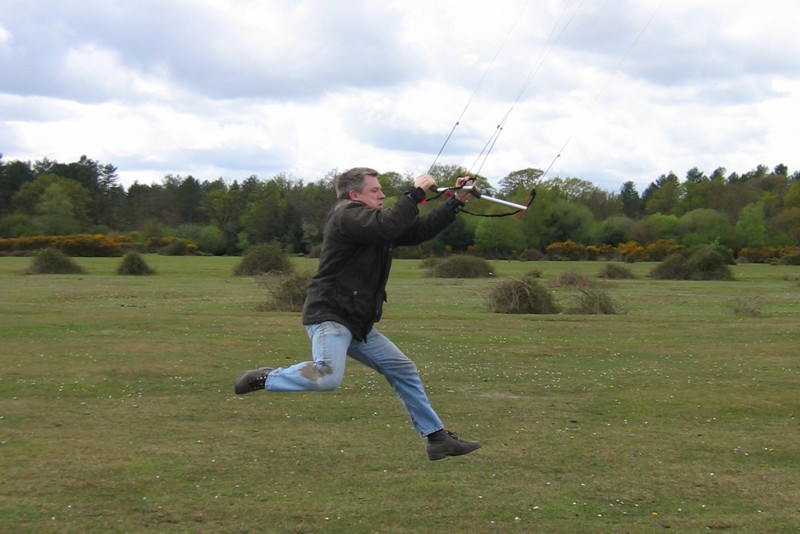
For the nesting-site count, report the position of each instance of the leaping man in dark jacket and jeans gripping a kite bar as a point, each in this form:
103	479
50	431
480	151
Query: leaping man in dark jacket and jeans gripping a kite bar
345	299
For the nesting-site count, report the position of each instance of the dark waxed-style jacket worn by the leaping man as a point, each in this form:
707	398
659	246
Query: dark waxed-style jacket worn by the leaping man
350	285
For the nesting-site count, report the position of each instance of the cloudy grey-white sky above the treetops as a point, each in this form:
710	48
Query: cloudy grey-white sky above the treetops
607	91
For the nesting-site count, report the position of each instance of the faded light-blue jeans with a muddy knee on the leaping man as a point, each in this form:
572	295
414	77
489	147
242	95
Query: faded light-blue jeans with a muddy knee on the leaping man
331	343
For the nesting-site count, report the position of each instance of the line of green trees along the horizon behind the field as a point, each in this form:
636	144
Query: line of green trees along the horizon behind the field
759	208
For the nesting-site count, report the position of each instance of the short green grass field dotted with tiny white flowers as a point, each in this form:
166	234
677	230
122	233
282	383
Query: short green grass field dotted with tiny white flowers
117	411
